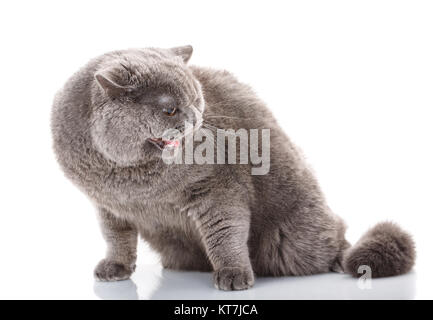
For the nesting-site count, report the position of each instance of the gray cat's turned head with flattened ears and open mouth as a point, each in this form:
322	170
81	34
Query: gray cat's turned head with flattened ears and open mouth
138	97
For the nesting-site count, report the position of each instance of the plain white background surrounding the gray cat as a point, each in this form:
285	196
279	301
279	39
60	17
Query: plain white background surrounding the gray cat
349	81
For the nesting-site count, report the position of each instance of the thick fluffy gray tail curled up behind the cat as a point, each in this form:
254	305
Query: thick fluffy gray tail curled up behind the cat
386	249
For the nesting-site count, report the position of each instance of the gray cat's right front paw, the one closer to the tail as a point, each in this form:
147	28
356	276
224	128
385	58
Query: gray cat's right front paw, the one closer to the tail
233	278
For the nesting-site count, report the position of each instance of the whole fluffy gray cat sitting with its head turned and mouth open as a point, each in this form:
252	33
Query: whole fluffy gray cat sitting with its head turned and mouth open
108	124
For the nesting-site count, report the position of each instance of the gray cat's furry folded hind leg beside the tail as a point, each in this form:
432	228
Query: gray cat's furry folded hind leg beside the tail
304	248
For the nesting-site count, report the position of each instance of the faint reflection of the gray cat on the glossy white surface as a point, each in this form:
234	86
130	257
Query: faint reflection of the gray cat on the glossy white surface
155	283
